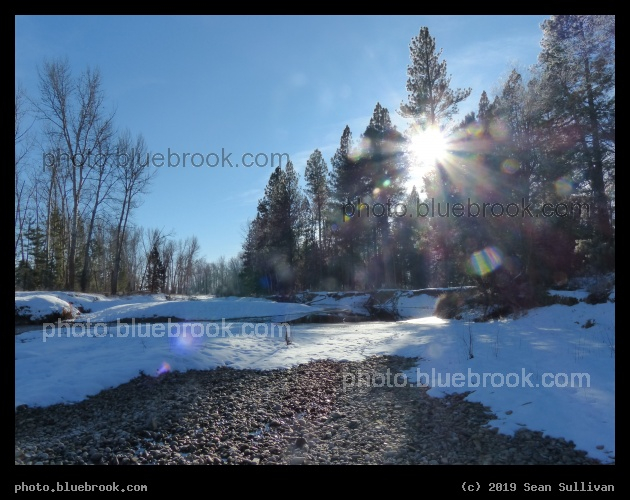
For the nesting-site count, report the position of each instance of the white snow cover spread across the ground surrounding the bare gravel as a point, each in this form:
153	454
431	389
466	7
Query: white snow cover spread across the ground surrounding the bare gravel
551	369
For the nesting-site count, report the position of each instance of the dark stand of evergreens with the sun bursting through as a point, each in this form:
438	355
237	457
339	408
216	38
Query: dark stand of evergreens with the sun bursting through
546	140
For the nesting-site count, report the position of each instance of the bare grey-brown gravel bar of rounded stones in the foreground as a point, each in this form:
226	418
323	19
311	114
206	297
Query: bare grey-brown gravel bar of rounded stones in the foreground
298	416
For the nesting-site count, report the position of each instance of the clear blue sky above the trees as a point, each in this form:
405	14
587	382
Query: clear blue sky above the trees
233	85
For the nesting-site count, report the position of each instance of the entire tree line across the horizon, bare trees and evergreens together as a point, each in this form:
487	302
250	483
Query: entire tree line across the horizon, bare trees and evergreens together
547	137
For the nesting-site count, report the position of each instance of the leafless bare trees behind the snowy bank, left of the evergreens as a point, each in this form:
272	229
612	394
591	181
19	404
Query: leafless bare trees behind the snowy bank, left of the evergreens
74	208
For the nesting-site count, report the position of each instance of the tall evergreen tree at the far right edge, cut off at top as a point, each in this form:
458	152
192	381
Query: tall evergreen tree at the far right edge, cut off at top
578	82
